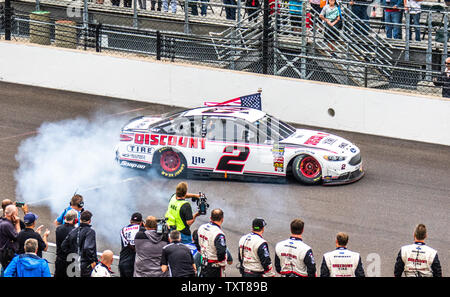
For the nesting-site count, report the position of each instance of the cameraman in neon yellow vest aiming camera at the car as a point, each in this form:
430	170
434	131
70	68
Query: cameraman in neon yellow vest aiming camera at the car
179	212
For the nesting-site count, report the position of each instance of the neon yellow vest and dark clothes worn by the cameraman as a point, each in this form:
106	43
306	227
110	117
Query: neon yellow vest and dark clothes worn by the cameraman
178	213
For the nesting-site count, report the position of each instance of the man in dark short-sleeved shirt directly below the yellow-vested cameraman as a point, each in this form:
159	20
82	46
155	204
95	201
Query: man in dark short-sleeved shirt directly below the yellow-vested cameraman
177	257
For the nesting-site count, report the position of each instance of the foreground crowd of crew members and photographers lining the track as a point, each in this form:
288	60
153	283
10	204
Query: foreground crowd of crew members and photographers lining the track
154	247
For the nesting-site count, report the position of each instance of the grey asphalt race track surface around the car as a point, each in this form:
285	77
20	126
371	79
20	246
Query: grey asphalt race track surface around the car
406	183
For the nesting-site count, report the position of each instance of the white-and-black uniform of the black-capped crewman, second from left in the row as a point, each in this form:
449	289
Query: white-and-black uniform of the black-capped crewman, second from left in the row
254	256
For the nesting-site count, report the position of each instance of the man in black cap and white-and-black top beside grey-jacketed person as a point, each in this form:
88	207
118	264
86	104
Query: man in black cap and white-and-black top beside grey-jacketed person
128	252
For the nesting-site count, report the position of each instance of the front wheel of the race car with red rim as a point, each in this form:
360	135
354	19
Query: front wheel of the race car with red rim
307	170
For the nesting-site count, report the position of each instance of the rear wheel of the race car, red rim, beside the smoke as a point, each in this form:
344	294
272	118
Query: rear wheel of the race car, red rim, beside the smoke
170	163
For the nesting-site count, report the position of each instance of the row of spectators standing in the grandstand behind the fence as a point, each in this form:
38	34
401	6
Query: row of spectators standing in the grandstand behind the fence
393	11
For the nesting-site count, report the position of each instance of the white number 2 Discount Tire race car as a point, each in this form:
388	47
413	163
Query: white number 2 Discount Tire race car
236	142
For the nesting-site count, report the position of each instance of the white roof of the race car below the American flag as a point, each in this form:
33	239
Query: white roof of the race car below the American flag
245	113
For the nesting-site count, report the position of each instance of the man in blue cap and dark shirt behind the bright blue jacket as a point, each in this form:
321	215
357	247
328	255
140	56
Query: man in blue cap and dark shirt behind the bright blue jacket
30	223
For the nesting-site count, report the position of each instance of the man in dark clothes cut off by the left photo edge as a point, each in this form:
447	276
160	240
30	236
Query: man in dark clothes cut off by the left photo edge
9	231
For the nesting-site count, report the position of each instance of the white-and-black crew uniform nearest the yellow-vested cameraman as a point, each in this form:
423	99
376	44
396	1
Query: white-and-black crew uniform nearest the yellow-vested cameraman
213	249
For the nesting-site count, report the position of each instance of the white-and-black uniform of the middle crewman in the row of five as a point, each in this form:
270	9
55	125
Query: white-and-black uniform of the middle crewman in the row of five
294	258
